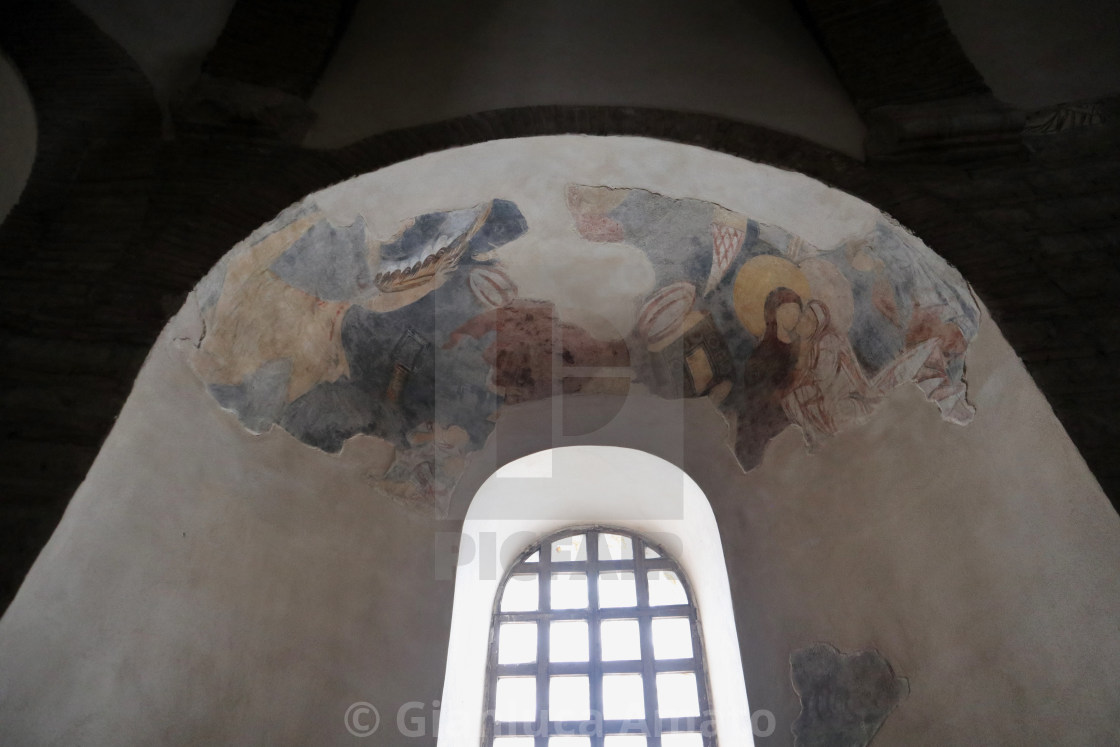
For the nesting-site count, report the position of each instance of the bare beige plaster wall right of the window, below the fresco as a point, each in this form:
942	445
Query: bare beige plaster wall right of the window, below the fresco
982	562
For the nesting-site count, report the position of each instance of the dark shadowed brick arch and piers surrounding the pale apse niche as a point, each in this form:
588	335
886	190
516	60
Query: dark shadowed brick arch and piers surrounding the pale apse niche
117	223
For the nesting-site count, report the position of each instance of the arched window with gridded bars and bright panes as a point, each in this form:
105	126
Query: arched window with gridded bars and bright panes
596	643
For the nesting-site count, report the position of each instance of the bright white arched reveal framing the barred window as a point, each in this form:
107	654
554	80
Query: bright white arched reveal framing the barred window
540	494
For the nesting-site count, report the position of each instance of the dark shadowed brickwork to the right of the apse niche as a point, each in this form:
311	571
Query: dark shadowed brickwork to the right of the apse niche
1044	186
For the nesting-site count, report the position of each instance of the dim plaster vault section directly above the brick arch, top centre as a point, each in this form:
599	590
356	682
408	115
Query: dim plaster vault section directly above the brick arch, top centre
405	63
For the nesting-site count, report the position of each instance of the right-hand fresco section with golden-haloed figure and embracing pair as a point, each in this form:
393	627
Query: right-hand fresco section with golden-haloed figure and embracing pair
779	332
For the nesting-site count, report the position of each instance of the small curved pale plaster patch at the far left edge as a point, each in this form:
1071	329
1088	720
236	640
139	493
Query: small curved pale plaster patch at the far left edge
18	136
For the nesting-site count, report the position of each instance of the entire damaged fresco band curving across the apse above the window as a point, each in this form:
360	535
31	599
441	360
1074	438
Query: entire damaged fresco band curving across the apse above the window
421	338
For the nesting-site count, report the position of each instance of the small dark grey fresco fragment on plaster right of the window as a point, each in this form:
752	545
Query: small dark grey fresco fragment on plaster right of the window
845	698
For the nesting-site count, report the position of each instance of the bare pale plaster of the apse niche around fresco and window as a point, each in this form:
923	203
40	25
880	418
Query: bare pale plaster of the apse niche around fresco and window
212	587
